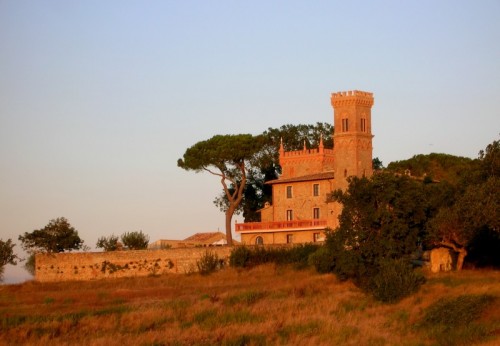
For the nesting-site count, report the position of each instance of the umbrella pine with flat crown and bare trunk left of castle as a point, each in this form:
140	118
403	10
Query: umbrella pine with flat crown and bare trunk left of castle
227	157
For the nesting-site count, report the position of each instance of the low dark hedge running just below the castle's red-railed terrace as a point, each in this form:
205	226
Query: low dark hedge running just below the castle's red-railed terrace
298	255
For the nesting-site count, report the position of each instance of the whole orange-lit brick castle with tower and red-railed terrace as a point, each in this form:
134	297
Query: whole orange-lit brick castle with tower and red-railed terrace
300	212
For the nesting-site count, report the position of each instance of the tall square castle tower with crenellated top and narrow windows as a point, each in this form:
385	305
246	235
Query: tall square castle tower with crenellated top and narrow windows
352	140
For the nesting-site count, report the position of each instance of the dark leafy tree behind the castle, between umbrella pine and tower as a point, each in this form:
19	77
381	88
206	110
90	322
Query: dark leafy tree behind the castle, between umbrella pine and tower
265	165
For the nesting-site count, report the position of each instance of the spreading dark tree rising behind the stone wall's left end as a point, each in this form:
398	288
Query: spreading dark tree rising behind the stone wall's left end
57	236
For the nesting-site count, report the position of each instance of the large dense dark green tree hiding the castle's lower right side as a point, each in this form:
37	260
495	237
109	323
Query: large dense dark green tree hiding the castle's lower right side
382	219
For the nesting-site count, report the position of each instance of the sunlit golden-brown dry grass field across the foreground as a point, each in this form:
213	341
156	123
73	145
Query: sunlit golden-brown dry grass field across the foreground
266	305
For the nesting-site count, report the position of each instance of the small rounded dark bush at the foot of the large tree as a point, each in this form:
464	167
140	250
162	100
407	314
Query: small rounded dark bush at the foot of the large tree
394	280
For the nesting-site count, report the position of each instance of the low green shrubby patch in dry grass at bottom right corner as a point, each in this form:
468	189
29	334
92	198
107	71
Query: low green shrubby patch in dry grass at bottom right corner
455	321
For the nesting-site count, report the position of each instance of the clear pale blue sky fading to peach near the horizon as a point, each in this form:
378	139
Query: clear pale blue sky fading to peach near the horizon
98	99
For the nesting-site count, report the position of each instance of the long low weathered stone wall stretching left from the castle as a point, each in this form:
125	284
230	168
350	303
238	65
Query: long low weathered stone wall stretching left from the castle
116	264
